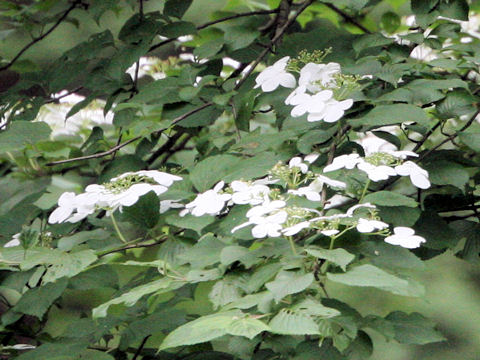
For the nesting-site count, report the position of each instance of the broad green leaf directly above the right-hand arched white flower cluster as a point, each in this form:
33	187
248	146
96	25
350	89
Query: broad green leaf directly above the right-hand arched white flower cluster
391	114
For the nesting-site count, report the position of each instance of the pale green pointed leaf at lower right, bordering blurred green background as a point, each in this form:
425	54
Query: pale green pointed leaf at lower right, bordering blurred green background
368	275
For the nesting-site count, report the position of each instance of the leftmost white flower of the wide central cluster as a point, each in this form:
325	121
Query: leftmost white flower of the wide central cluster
209	202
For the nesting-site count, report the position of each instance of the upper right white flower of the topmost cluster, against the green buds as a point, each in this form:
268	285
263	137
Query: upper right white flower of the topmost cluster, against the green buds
314	76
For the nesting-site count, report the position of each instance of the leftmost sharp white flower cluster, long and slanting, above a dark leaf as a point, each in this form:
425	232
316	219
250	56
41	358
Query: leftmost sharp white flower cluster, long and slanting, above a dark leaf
123	190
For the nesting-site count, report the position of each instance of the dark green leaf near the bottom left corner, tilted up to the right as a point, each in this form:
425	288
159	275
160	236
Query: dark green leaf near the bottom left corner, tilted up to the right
38	300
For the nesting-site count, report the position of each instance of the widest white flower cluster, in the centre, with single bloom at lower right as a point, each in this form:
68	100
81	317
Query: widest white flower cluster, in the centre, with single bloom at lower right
273	213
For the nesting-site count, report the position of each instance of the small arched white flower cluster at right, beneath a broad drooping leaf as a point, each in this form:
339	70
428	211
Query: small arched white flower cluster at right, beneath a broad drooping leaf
381	165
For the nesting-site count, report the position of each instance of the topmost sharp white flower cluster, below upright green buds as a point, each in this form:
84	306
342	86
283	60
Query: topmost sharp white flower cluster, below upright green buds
314	95
